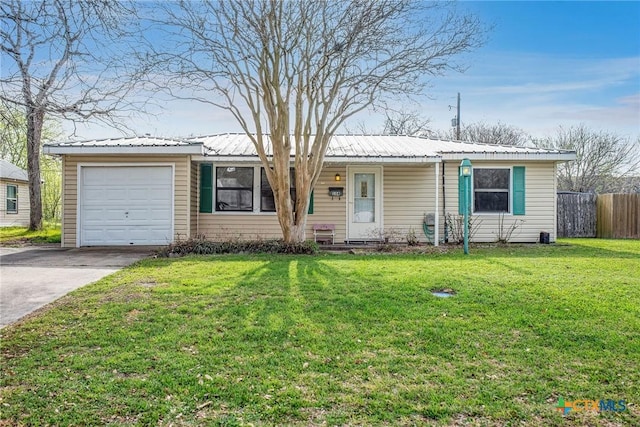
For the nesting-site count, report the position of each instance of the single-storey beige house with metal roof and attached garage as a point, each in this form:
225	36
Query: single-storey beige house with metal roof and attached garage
150	191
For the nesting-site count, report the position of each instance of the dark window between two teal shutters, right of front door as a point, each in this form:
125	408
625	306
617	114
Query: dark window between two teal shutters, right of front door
491	190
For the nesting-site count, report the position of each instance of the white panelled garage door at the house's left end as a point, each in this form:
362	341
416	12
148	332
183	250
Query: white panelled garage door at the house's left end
126	205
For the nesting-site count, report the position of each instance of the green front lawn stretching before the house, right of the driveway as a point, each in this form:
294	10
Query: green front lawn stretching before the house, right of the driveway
338	340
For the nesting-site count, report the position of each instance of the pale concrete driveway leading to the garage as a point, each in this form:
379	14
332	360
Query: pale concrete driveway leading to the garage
31	277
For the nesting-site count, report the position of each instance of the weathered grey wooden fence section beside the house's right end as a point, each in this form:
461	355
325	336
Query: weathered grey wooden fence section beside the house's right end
576	214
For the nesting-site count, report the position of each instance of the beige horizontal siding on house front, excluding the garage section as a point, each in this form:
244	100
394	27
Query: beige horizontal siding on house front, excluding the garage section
408	194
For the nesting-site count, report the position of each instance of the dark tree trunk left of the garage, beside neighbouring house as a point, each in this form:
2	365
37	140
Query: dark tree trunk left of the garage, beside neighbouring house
35	120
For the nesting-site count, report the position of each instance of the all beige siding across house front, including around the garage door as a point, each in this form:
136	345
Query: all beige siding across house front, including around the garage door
408	194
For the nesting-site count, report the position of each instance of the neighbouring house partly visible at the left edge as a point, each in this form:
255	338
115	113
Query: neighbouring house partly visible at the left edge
14	191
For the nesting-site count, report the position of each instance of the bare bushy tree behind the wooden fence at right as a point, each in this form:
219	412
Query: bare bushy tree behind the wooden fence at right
602	159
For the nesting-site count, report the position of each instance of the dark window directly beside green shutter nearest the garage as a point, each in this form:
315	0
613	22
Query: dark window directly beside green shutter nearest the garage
234	189
